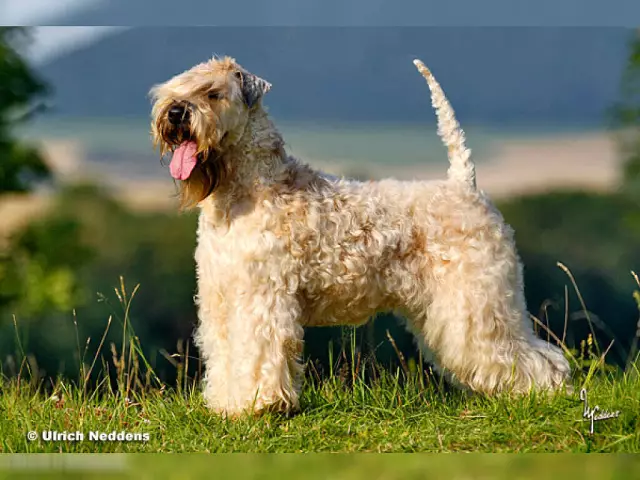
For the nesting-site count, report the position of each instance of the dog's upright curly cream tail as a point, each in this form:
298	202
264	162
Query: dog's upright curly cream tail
462	169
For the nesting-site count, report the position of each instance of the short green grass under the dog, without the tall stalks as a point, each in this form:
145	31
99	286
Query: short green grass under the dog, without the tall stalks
384	417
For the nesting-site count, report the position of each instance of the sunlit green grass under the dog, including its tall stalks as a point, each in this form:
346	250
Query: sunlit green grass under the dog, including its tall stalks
403	411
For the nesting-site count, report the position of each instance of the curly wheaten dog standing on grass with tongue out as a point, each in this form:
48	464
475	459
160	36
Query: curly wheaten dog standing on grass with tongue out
282	246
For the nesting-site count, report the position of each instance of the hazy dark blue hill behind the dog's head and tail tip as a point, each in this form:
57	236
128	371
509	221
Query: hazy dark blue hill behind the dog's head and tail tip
492	75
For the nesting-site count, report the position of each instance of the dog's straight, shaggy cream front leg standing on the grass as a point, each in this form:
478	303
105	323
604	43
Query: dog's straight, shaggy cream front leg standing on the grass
251	341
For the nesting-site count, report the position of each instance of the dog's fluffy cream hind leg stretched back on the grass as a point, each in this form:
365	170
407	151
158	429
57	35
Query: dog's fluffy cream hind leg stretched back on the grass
477	327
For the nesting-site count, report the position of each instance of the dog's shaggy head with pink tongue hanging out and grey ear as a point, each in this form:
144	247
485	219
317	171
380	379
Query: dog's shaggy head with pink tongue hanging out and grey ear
197	115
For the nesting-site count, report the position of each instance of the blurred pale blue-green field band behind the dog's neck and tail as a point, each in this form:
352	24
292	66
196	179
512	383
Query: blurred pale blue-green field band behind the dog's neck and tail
356	142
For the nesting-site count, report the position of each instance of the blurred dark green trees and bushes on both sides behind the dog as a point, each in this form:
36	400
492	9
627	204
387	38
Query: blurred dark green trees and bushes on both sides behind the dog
70	260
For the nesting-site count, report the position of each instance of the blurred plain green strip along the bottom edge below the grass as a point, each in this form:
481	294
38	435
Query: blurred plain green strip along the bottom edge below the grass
323	466
